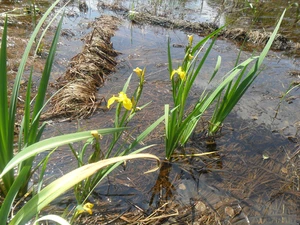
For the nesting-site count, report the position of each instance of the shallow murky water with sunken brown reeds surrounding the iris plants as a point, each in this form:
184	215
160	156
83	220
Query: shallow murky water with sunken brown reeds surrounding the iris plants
252	177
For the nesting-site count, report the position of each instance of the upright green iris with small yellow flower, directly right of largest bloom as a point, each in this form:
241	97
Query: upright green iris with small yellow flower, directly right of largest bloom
179	123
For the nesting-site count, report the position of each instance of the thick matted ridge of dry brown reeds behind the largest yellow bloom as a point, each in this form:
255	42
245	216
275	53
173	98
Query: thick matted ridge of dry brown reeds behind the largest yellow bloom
87	71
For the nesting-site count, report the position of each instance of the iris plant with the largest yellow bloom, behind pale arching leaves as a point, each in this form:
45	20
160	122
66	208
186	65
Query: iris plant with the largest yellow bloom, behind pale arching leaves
125	111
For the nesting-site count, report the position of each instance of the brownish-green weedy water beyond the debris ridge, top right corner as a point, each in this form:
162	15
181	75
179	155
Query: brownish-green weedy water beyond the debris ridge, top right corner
261	15
